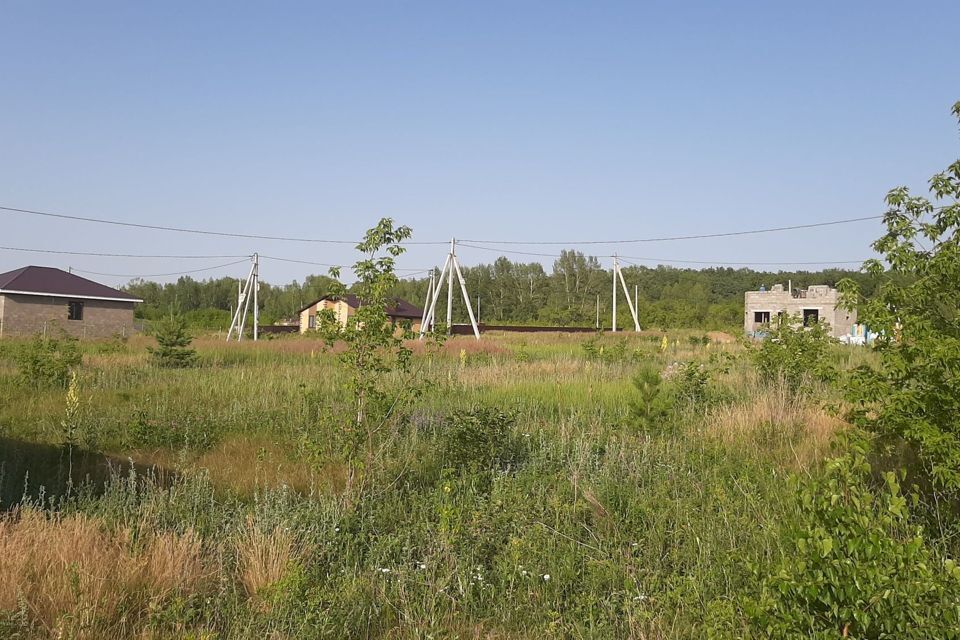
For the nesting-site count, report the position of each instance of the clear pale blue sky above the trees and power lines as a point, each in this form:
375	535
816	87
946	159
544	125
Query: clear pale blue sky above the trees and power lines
485	120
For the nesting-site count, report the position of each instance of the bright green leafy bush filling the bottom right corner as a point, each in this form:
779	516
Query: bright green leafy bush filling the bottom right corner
858	568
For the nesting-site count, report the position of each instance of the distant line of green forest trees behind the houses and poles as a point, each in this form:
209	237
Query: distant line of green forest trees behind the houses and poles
516	293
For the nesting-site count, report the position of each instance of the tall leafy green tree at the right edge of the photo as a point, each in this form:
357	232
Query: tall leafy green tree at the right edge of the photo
913	394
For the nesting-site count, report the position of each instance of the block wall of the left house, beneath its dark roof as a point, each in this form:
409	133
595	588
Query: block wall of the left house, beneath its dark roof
22	315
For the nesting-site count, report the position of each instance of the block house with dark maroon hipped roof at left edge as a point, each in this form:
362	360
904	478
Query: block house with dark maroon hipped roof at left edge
41	299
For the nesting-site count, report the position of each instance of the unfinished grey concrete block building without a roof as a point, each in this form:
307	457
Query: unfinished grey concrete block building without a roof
815	304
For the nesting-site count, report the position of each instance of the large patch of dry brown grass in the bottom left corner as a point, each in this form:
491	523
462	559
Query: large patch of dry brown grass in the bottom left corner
73	578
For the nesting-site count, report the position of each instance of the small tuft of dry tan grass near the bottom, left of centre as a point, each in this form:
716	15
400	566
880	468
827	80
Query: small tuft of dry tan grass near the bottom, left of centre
264	558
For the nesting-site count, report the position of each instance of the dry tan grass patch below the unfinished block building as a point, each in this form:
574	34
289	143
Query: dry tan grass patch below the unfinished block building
774	416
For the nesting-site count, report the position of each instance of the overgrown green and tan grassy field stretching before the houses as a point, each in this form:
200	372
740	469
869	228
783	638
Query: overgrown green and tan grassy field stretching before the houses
213	502
